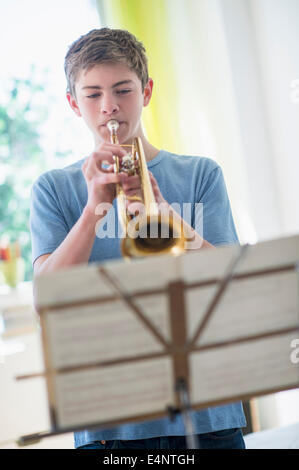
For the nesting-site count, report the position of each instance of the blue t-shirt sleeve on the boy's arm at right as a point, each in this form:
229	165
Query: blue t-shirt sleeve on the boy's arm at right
217	221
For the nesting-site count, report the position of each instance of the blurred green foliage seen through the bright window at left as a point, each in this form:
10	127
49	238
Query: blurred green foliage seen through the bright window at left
22	117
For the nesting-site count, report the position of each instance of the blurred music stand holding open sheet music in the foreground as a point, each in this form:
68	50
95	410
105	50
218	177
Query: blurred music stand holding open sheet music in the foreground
194	347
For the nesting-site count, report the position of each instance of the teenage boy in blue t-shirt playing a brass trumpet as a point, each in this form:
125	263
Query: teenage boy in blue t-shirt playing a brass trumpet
107	78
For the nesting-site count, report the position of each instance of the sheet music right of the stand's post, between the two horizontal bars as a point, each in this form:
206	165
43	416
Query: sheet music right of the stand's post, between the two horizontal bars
249	306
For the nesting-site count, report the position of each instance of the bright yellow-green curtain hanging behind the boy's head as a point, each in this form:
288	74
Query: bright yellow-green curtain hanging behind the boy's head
147	20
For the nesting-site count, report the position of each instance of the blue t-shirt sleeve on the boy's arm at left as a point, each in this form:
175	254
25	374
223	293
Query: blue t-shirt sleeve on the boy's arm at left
47	224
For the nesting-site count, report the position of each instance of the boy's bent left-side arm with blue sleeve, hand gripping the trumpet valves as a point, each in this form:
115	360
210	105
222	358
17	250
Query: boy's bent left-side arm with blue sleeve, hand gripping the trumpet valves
64	247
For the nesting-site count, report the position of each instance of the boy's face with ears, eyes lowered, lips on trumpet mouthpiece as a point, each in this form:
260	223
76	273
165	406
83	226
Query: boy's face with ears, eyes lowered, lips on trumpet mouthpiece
111	91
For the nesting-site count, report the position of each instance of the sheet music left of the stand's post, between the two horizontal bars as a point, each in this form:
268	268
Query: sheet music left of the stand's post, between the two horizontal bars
94	333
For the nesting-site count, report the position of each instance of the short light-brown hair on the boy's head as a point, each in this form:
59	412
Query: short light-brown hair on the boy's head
105	45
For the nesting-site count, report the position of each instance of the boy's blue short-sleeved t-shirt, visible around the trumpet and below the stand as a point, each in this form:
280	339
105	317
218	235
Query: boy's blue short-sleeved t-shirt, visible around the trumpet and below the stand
58	199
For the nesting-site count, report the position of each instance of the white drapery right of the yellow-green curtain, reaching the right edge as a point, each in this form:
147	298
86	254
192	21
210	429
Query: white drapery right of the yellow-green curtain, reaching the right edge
237	64
